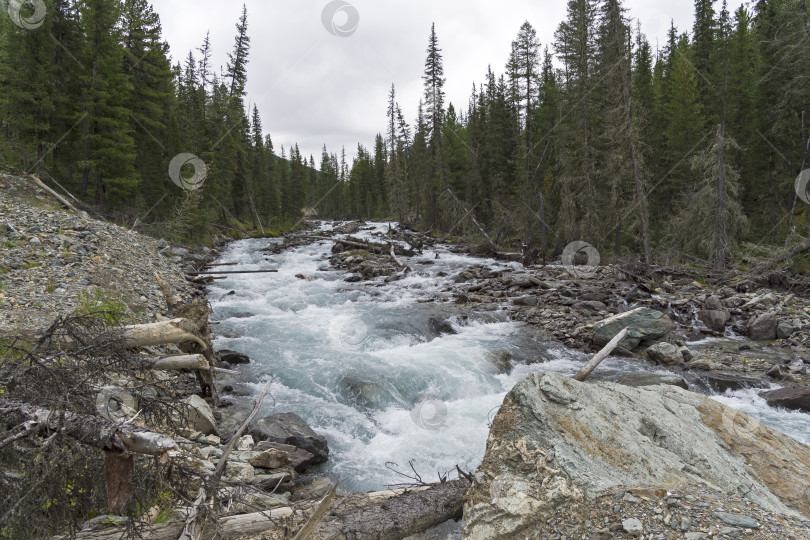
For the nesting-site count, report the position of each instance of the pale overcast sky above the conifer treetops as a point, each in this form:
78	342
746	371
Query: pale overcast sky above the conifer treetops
314	88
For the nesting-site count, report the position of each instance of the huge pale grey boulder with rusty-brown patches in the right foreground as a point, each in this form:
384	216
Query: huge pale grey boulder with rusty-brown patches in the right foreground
556	442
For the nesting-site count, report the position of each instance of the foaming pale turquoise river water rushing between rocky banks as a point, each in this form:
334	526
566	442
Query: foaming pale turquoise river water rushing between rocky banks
364	366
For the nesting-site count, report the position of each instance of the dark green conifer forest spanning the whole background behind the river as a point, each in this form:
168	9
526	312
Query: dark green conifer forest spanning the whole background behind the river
687	151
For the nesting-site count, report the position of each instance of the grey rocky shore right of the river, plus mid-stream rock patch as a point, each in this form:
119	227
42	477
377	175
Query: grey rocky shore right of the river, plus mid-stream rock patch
767	331
